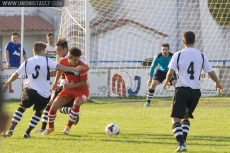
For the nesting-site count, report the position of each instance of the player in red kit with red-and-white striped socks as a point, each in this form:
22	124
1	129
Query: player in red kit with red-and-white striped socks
76	88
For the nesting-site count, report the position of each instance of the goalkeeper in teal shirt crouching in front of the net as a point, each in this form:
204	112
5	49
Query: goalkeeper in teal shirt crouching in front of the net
161	61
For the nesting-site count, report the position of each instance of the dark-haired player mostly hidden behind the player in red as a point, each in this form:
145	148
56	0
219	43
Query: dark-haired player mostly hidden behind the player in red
62	52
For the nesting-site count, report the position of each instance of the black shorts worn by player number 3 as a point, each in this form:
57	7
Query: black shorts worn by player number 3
30	97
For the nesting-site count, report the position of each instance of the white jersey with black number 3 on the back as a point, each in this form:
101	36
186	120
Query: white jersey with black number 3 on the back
37	70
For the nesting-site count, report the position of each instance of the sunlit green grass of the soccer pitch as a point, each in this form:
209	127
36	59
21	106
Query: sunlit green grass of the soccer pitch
142	130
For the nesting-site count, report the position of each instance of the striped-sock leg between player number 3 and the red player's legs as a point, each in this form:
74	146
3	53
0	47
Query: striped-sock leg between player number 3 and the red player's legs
46	110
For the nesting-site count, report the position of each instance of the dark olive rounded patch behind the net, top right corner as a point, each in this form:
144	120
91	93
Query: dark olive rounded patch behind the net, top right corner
220	11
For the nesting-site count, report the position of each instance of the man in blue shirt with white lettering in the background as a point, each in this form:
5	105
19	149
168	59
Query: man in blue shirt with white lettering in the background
13	52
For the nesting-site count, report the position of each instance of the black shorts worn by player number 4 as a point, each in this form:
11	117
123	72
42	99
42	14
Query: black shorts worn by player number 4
184	102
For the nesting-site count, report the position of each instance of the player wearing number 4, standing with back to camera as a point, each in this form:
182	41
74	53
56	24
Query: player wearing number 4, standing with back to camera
189	62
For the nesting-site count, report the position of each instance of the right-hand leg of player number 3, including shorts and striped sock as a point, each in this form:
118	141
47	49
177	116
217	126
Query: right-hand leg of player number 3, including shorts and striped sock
39	105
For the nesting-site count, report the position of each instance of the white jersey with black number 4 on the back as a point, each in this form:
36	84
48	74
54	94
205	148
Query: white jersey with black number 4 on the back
189	62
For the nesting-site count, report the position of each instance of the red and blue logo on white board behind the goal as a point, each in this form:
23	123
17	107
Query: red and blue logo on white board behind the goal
126	87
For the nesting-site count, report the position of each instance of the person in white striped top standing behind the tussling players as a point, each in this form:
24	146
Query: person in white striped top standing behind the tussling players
51	47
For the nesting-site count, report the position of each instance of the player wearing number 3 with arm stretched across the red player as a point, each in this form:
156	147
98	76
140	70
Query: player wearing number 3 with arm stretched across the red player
37	91
